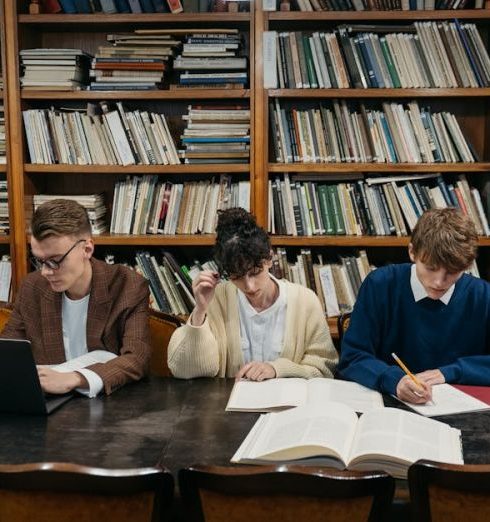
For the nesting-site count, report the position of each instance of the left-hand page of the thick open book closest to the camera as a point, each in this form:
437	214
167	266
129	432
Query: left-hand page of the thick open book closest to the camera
306	431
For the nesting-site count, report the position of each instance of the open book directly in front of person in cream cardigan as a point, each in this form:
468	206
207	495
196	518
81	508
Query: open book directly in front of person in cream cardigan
276	394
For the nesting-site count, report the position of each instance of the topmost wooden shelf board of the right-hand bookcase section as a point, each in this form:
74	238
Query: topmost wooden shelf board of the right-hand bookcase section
381	16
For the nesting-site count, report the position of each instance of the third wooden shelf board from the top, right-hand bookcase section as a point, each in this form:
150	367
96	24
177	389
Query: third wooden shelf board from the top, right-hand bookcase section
379	167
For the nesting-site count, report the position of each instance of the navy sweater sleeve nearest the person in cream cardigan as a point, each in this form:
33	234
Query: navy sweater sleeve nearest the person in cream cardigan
359	360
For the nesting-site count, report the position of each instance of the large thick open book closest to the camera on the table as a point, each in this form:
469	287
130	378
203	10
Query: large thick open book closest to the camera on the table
386	439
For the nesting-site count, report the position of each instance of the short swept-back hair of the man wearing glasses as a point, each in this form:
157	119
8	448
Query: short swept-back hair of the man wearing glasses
60	217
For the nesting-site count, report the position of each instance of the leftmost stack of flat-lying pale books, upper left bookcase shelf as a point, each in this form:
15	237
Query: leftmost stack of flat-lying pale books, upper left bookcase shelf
54	69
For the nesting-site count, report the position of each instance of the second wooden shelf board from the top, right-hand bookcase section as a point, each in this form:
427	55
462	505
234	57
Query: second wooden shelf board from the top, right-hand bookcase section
380	93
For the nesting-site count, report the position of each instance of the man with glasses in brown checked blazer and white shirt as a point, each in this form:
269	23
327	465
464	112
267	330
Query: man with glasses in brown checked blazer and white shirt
74	304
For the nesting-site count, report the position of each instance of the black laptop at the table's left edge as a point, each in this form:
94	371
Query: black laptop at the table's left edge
20	389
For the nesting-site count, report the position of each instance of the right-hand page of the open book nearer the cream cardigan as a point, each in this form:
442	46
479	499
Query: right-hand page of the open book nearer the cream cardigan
354	395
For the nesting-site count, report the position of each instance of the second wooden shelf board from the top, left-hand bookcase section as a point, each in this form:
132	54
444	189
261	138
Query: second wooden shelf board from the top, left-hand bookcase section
181	94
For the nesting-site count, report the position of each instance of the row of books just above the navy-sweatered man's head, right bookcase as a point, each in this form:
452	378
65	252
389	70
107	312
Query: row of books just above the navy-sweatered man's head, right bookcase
375	206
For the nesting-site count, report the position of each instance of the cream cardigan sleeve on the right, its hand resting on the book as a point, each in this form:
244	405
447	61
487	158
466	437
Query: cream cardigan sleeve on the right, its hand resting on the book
317	356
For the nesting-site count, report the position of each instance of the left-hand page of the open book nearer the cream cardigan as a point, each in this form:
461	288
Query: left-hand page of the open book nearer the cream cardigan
267	395
